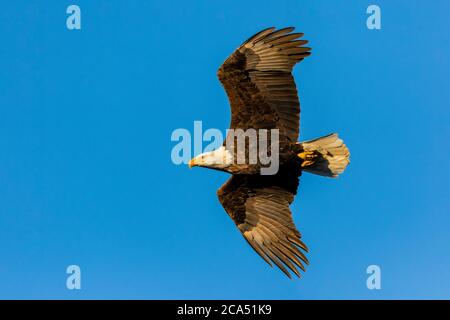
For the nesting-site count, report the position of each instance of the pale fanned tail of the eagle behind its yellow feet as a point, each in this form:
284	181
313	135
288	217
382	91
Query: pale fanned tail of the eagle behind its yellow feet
327	156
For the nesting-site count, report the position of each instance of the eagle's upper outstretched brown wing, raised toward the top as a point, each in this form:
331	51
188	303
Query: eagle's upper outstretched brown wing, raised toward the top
259	84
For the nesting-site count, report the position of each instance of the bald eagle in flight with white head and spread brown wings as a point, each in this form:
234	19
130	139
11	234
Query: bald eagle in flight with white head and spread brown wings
262	93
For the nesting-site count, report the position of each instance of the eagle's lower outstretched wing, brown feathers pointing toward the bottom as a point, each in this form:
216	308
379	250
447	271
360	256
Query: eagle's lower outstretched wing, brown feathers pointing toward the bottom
259	206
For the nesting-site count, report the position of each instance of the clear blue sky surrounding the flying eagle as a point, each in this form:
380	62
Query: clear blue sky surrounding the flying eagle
86	176
